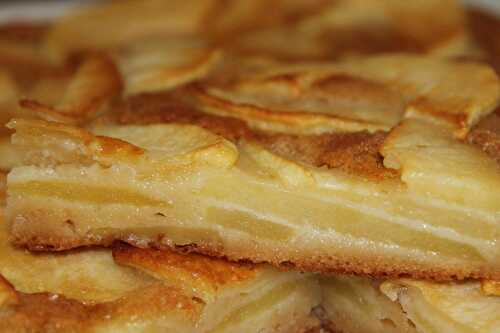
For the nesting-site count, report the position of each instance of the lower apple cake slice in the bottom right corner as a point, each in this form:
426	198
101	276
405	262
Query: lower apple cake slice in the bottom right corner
360	305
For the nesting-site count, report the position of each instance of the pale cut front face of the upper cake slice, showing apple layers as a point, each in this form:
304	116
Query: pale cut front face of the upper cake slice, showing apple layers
176	184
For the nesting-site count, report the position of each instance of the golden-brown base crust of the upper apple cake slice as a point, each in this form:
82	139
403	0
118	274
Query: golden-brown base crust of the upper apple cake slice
40	233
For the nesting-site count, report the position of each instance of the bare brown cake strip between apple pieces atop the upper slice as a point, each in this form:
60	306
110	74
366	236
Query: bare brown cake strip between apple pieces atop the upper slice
355	153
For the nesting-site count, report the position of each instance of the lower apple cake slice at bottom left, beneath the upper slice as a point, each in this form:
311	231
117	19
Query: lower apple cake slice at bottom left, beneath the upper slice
86	291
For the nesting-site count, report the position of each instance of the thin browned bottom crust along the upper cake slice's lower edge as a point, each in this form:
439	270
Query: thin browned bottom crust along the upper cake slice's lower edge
302	257
